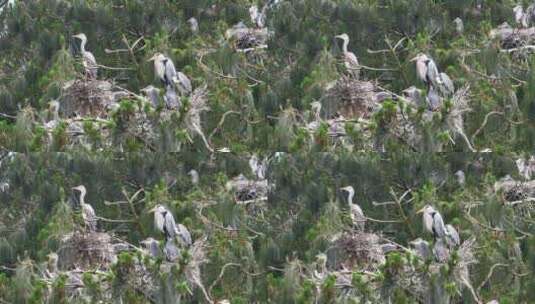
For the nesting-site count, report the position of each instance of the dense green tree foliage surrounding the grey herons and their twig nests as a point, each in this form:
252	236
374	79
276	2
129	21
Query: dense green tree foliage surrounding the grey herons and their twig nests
262	102
